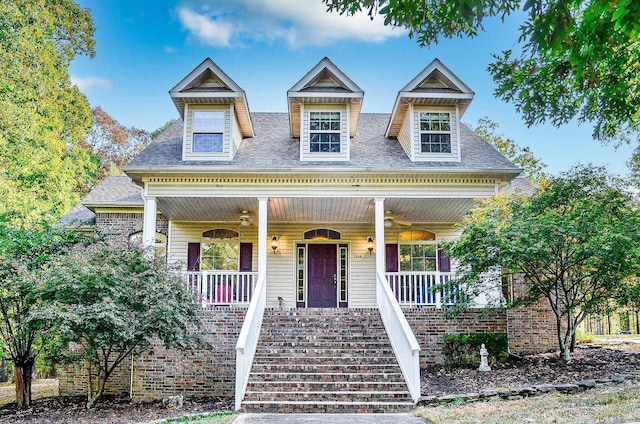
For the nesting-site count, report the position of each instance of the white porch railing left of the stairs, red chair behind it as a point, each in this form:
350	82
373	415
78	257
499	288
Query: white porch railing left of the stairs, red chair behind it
222	287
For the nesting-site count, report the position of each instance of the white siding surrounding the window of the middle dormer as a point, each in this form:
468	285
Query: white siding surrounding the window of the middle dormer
305	154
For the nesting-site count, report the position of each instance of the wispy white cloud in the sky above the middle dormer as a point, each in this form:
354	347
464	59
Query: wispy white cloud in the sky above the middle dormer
299	23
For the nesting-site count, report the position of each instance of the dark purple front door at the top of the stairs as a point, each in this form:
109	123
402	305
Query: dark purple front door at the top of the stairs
322	268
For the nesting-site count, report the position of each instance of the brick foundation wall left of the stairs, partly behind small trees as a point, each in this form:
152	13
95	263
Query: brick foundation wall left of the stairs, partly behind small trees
209	371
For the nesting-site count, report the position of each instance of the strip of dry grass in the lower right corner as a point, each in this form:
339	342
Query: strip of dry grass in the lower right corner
609	404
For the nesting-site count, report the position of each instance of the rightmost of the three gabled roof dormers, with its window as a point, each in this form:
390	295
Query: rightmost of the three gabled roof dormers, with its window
427	112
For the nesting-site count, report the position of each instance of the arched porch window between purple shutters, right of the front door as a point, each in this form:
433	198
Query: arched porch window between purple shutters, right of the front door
417	251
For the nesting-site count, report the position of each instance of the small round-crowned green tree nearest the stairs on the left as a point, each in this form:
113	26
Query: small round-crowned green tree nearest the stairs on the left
107	302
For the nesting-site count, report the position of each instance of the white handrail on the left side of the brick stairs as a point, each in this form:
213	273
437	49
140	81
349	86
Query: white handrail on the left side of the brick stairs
248	338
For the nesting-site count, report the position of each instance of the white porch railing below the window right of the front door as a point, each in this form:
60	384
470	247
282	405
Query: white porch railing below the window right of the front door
421	288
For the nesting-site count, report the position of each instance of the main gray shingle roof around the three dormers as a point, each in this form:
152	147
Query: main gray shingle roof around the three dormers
272	148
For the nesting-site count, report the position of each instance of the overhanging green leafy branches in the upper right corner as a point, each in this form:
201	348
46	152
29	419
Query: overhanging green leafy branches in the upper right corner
577	58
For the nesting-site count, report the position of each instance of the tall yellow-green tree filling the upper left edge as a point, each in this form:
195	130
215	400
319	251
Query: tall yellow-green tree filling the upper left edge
43	118
